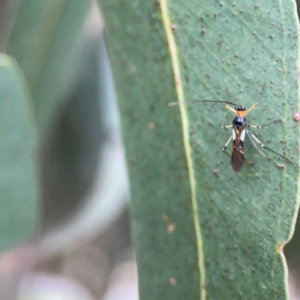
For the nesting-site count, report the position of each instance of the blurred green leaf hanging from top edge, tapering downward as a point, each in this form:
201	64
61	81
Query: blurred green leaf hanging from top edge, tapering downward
45	42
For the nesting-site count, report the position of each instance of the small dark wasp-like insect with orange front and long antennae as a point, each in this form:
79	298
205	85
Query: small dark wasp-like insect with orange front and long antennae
240	129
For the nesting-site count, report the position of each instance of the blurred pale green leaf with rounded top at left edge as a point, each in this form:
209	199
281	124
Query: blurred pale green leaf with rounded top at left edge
18	157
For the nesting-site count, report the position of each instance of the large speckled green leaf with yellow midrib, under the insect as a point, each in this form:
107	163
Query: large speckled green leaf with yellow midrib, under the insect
201	230
